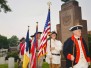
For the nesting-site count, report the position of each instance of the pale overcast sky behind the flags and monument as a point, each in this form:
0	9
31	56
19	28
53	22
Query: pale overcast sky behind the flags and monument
28	12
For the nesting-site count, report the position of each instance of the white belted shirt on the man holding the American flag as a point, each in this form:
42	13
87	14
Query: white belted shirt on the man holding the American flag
58	47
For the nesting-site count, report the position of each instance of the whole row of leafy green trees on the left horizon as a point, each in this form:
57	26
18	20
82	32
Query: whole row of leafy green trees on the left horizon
5	43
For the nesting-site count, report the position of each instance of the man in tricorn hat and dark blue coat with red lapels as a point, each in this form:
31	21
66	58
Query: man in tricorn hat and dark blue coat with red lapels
75	49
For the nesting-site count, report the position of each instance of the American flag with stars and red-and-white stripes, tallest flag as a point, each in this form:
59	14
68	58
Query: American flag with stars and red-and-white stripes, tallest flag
47	30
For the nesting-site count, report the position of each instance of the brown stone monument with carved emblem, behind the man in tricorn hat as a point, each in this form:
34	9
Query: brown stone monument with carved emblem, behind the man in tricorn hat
70	15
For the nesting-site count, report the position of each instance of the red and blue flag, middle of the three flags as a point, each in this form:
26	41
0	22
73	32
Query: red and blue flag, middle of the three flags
33	50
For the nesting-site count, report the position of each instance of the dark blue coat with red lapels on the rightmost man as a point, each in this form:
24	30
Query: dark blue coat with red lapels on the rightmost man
68	49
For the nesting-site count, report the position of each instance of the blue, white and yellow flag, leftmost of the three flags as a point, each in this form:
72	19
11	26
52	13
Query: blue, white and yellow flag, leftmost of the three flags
26	51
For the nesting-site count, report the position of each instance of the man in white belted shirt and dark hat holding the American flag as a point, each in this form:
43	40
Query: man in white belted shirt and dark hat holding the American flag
53	51
